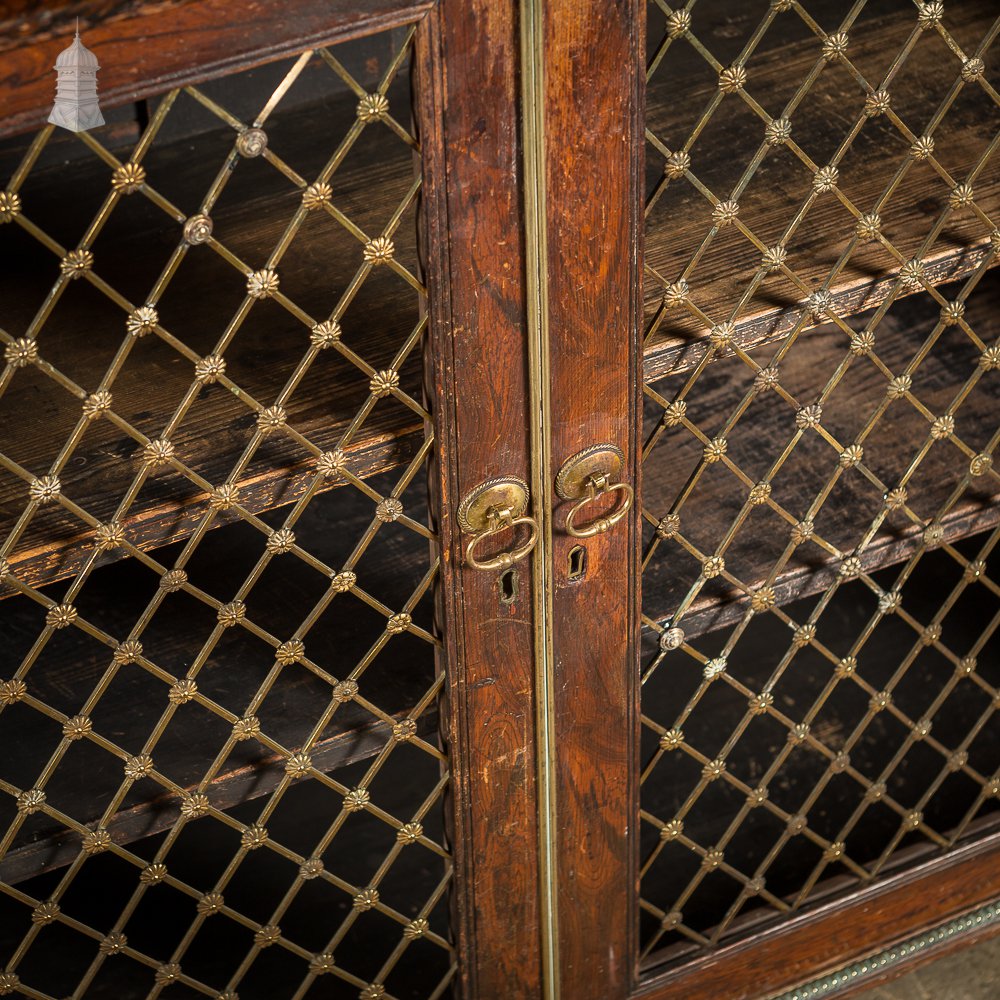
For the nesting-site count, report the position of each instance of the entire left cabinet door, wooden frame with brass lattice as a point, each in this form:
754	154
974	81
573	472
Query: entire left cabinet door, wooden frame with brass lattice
264	732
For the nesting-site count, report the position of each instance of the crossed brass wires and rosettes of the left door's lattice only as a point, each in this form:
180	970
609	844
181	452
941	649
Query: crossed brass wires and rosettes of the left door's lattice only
419	587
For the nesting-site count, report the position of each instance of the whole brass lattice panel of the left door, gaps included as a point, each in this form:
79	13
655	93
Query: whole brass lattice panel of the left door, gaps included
220	769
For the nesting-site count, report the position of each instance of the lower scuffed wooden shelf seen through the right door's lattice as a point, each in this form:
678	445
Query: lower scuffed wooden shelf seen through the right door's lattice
764	430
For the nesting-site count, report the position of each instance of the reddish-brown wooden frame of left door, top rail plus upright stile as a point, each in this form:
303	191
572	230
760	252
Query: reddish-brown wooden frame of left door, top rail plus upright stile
467	85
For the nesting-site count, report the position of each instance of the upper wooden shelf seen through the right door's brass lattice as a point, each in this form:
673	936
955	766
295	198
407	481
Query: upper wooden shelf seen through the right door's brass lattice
681	89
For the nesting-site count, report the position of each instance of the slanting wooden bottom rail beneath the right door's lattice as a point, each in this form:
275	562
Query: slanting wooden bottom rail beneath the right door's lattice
835	935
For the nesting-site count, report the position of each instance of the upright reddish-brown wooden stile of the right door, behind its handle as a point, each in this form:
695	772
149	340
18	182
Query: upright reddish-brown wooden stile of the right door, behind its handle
593	101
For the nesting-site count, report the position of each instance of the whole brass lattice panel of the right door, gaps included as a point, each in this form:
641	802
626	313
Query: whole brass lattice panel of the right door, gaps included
820	682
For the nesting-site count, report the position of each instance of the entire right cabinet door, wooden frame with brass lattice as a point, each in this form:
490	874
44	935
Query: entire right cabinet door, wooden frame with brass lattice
797	764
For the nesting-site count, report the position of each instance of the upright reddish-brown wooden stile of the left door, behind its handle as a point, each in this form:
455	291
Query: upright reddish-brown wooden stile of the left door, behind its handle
473	242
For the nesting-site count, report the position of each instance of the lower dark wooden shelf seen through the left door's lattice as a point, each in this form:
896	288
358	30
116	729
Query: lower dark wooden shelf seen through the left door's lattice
72	663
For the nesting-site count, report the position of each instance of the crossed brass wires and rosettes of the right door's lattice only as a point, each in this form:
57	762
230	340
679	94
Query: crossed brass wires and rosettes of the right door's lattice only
669	912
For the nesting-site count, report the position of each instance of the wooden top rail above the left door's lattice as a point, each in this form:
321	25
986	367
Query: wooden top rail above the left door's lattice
151	47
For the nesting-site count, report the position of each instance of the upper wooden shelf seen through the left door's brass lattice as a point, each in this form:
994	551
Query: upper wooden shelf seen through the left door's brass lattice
85	329
